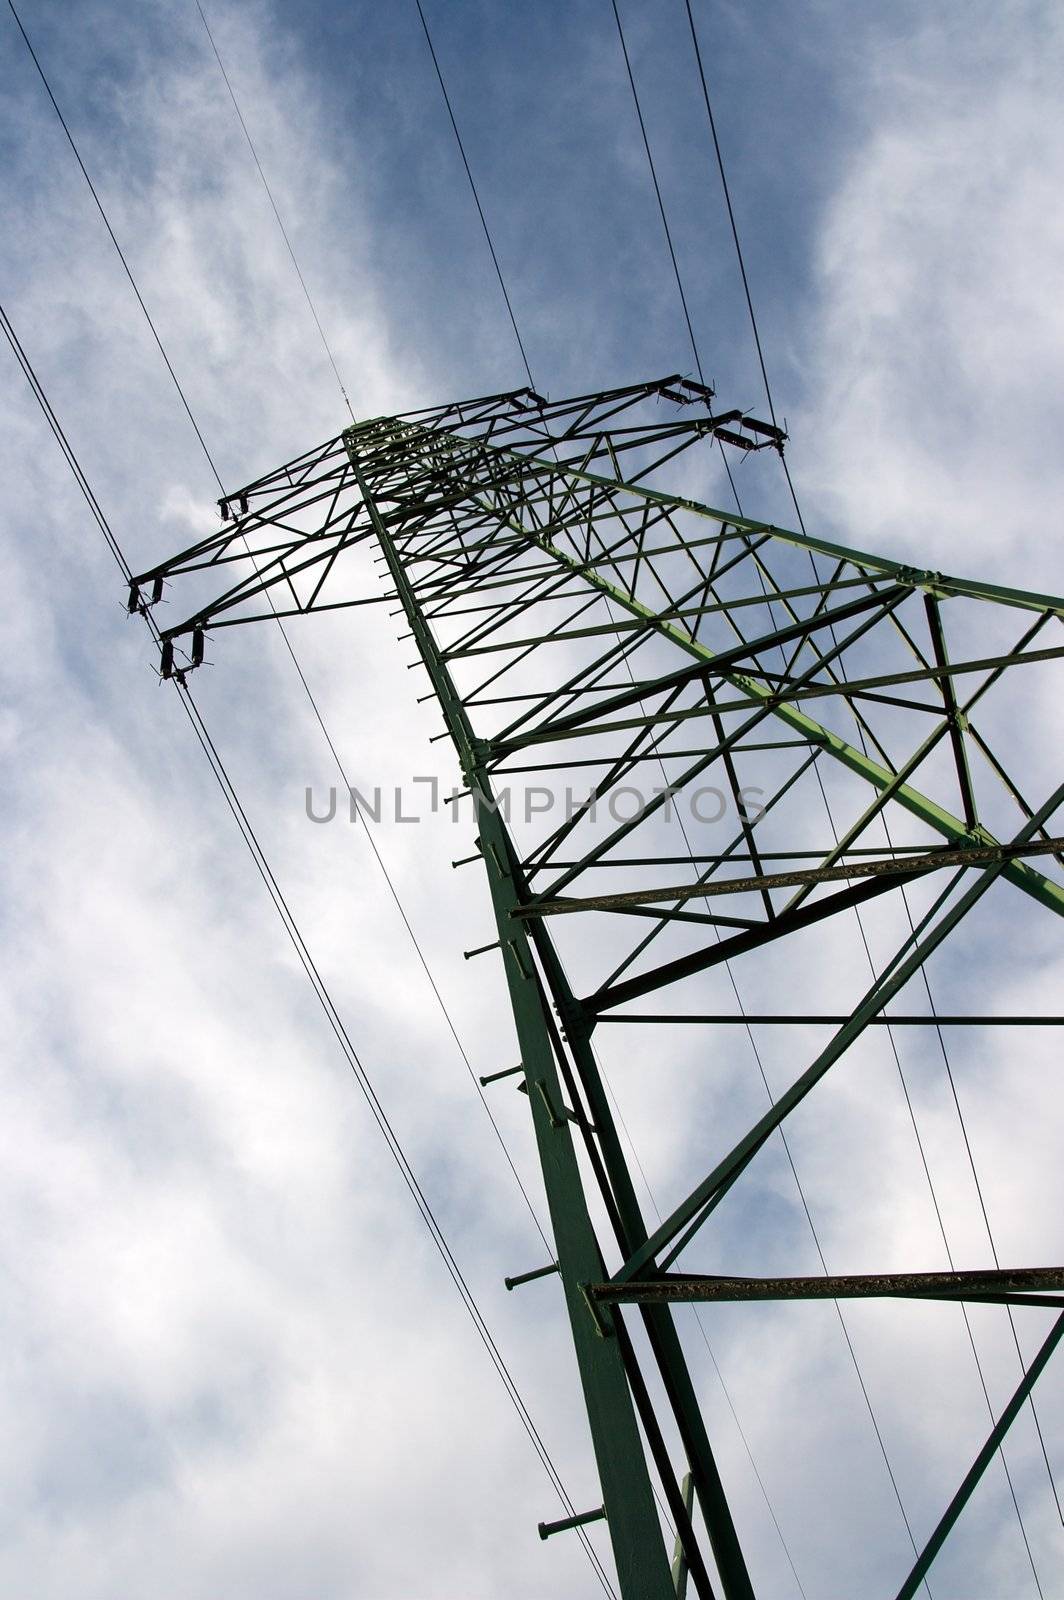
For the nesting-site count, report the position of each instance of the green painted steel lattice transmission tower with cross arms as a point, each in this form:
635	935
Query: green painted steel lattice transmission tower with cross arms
455	497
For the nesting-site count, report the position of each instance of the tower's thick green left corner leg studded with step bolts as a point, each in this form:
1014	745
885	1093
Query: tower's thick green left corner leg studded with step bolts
628	1495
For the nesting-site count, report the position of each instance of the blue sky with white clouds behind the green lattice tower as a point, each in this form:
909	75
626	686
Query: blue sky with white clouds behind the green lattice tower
231	1361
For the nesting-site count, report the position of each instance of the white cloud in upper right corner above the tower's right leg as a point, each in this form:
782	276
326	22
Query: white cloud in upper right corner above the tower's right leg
935	358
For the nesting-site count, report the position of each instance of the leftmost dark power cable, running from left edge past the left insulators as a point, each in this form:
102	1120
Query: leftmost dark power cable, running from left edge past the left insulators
306	961
